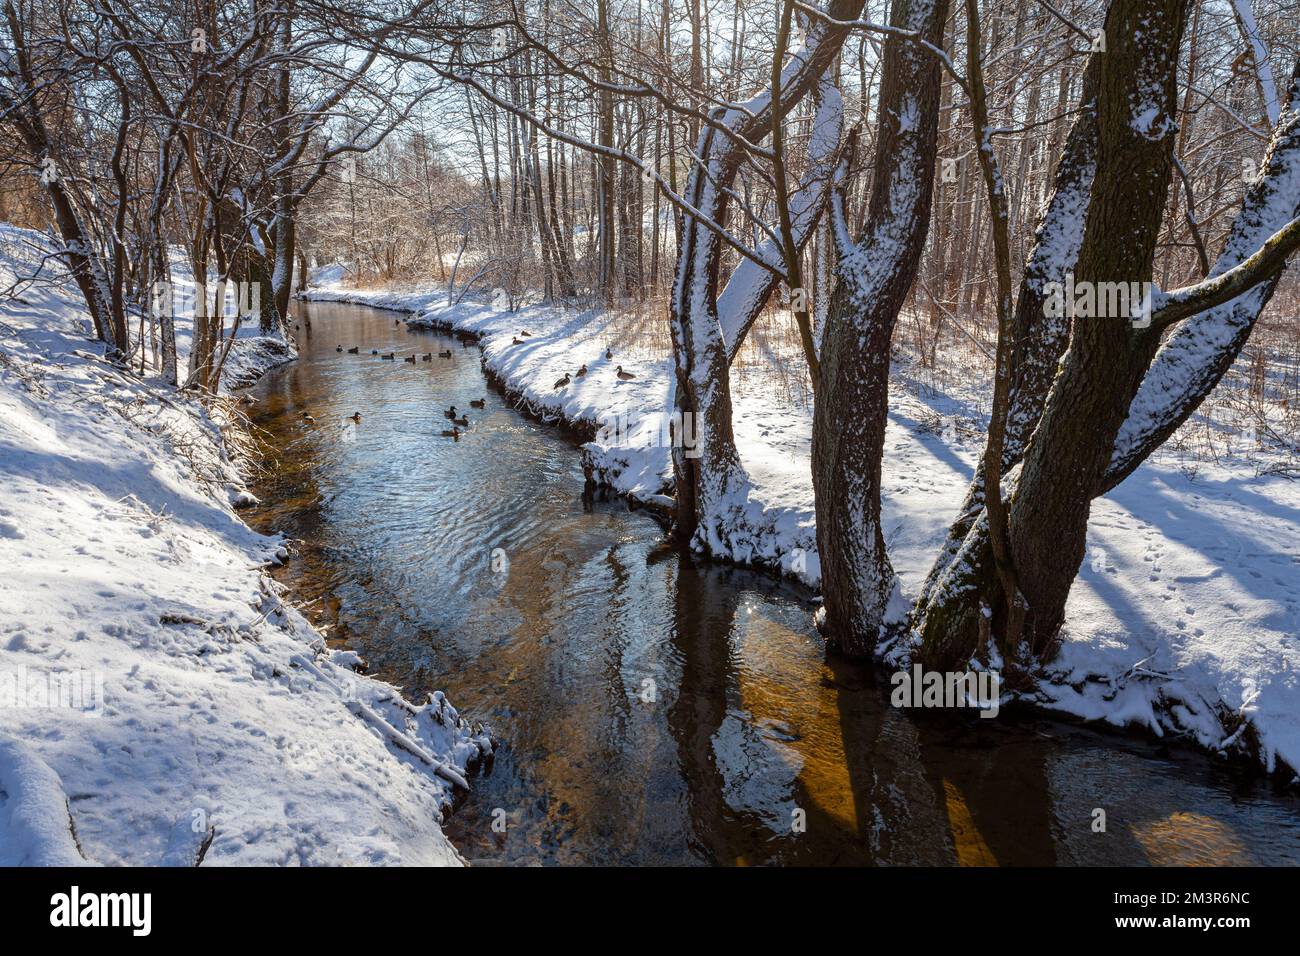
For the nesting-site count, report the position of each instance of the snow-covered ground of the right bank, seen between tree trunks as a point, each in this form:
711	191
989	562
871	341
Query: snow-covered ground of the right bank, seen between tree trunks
1185	618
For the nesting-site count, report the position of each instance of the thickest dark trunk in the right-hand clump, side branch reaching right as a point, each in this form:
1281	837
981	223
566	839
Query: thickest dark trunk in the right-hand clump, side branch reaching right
1103	367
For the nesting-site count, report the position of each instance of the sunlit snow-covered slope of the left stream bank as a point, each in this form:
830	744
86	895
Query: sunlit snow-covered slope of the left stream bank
161	703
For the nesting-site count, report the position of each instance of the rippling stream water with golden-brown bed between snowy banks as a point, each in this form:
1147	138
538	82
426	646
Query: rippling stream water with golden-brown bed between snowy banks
655	711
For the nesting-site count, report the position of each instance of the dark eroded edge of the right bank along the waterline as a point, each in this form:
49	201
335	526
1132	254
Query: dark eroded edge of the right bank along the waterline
1243	752
